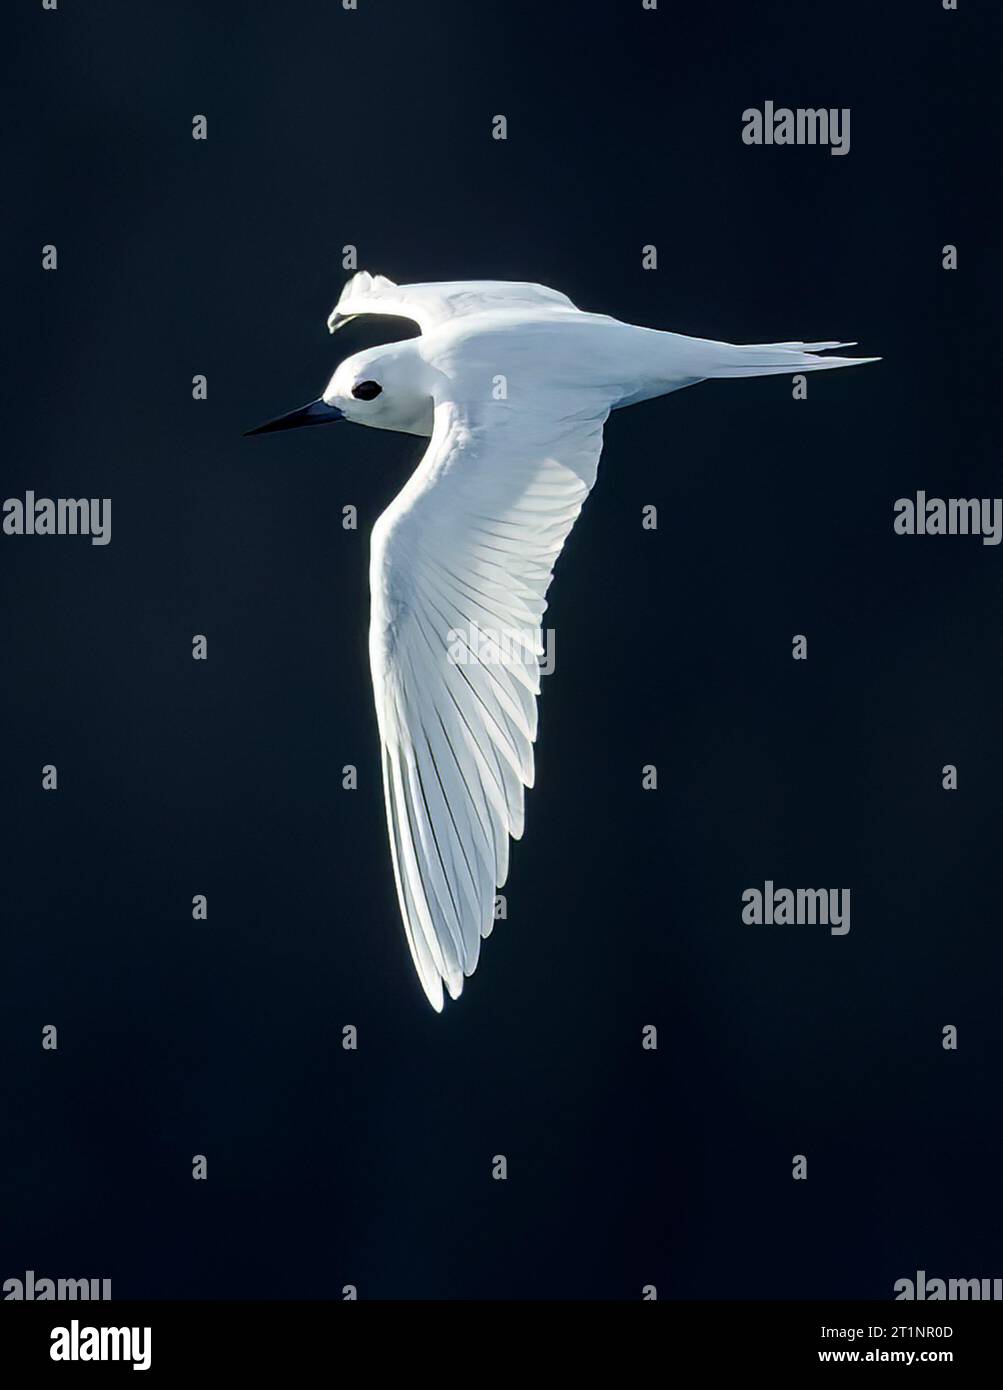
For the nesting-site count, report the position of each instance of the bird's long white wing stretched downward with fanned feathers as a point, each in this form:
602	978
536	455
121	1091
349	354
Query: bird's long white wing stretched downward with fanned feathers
461	566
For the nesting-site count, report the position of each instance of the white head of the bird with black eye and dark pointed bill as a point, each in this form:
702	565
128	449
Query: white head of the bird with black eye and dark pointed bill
387	389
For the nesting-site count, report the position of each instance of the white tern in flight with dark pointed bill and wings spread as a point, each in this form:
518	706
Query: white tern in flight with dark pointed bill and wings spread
512	386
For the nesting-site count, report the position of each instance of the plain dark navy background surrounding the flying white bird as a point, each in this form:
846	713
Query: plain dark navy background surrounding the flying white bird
673	647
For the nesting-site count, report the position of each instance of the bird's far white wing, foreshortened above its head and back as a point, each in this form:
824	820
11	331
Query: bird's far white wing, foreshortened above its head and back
434	304
